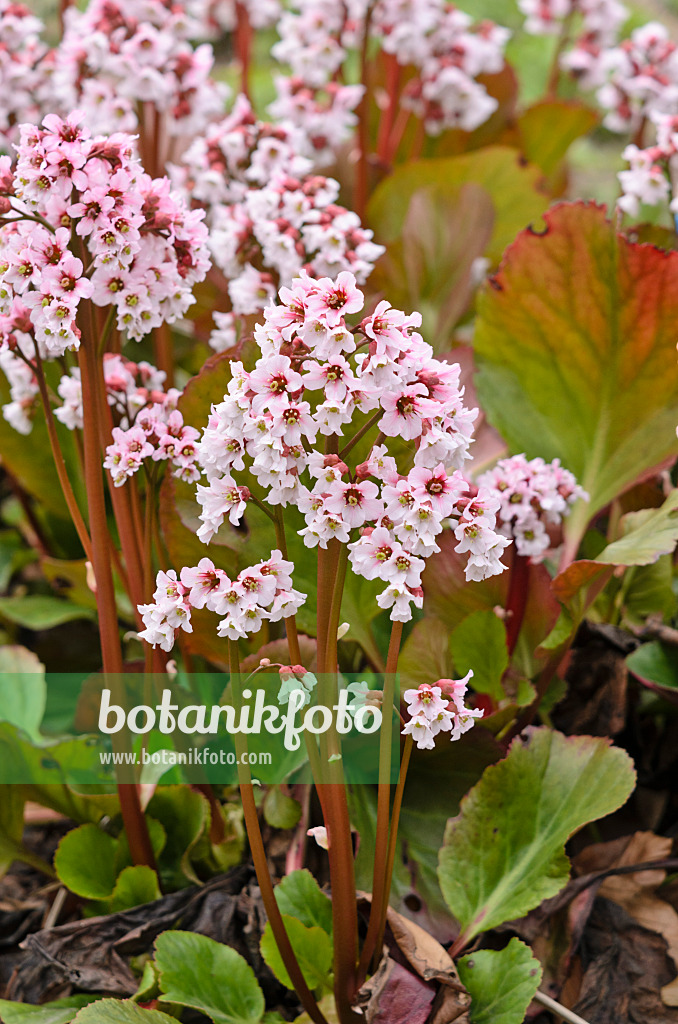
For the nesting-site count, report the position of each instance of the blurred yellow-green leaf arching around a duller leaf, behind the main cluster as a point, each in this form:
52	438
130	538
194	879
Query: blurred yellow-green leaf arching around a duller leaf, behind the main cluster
498	170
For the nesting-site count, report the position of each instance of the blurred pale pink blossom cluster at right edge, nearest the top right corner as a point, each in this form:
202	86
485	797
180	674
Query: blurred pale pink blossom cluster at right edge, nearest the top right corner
635	79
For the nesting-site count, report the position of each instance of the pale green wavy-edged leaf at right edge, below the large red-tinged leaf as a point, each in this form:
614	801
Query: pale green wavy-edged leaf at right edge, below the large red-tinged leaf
648	535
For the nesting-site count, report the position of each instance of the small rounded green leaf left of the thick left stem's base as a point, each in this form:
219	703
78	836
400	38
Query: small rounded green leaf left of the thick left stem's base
86	863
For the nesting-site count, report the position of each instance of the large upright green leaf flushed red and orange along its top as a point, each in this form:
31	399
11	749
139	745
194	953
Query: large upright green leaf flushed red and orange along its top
577	331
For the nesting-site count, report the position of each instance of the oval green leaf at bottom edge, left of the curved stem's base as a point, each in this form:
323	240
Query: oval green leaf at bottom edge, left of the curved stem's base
203	974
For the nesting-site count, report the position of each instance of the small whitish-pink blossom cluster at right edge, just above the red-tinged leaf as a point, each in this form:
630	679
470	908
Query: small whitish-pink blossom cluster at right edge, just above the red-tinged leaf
650	178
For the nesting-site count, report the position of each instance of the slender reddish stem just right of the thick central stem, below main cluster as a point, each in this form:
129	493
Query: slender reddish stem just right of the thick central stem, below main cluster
379	894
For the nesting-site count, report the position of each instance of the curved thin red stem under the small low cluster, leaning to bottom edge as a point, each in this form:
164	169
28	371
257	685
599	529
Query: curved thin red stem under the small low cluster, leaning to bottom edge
260	856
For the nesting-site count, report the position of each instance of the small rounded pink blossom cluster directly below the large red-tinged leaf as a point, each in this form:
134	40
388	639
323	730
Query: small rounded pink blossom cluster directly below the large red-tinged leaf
534	495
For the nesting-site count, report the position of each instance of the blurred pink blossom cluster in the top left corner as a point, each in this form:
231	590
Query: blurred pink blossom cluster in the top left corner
24	84
